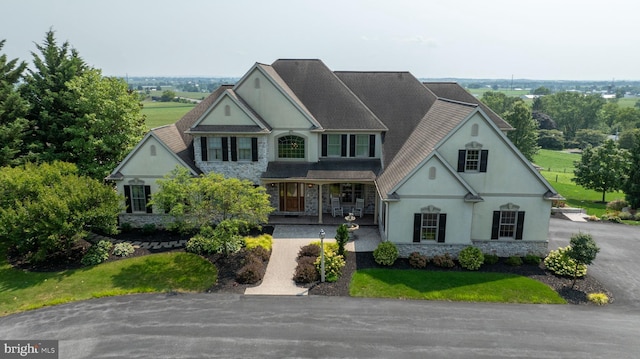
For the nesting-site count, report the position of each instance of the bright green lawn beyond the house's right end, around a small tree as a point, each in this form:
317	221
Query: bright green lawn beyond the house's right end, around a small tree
558	170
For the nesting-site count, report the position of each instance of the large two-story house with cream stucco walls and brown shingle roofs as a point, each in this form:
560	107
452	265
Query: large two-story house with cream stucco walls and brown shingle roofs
428	161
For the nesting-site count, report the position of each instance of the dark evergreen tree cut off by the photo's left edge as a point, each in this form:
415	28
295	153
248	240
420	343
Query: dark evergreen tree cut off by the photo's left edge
13	108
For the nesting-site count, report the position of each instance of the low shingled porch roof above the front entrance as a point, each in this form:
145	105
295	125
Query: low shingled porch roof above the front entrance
324	170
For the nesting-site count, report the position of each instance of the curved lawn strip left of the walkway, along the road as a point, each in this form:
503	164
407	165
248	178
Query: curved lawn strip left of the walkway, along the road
165	272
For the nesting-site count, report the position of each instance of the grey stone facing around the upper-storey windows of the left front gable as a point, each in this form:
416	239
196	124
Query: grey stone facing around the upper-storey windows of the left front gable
249	170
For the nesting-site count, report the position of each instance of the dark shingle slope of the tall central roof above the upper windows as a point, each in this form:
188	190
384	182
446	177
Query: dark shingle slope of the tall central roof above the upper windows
330	102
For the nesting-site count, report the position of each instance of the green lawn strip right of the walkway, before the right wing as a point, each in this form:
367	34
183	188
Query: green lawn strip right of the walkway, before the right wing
451	286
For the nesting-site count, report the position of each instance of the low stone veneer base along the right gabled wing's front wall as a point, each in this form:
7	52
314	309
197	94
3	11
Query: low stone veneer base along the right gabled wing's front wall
499	248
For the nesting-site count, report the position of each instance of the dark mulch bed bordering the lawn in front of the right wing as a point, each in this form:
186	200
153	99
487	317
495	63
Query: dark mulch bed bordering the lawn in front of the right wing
561	285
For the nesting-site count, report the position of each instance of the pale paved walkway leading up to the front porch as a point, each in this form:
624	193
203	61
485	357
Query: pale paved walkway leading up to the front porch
287	240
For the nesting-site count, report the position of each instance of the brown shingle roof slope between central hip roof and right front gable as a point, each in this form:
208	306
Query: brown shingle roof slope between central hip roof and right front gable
397	98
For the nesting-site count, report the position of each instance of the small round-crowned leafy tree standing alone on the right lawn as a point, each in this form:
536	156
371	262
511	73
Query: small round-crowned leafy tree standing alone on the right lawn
602	168
